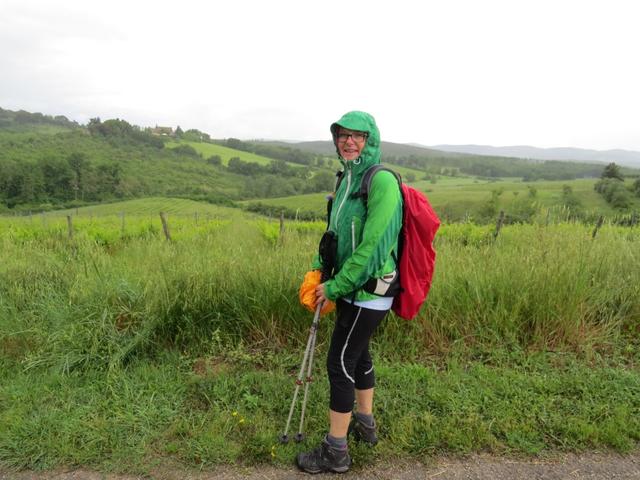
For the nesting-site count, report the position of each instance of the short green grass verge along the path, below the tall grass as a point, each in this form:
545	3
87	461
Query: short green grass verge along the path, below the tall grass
231	408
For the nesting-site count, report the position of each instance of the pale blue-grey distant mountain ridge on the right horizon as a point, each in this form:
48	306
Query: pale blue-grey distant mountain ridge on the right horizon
622	157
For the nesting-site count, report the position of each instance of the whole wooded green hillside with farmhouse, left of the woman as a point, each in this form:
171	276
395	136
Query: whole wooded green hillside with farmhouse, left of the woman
48	163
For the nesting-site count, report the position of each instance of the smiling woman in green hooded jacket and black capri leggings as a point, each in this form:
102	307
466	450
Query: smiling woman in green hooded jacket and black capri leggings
367	236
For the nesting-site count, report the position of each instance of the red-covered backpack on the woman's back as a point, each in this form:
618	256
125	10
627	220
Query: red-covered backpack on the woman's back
417	257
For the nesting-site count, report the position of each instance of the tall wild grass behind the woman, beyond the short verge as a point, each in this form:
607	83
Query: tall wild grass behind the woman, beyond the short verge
91	301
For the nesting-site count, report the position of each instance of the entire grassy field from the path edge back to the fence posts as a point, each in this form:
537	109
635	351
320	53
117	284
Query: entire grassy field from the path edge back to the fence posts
121	350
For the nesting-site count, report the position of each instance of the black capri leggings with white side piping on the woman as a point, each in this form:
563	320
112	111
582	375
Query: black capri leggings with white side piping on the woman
349	363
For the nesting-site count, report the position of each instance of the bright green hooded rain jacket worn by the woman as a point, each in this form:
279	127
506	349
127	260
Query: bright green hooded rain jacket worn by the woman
367	236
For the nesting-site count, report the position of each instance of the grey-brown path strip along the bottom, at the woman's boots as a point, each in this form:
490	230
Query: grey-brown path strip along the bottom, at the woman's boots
479	467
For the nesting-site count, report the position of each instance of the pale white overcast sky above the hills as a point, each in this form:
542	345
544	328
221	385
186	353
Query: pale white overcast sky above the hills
543	73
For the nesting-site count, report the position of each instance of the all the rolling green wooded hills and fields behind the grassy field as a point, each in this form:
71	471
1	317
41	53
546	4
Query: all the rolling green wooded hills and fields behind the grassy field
50	163
